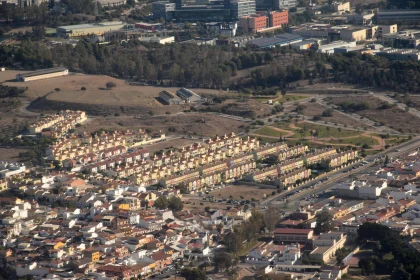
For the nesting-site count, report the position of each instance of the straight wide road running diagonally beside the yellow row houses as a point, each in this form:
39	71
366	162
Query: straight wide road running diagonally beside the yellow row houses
340	174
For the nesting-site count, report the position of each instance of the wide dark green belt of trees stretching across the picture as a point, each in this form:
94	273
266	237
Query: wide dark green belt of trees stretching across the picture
215	66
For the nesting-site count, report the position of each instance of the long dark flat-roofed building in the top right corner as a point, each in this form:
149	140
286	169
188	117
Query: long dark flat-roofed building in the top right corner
404	17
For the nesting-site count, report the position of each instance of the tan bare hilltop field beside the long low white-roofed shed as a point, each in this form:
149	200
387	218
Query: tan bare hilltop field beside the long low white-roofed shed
96	91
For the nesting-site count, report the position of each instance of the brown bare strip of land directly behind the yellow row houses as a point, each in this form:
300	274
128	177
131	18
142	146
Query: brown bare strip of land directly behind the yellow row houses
189	123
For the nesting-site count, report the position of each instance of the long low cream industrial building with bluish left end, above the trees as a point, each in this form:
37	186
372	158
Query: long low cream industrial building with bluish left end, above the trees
89	29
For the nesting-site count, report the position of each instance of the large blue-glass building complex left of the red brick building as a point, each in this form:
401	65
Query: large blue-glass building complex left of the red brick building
219	10
